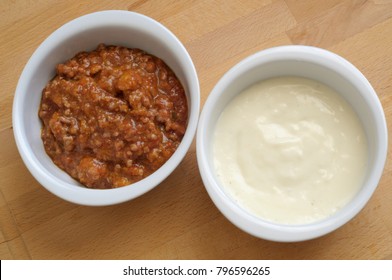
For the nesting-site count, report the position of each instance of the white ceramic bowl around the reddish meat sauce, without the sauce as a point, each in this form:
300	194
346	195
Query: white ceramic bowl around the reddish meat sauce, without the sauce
83	34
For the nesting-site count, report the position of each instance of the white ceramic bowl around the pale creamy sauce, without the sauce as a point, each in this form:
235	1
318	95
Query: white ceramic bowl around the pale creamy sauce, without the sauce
308	62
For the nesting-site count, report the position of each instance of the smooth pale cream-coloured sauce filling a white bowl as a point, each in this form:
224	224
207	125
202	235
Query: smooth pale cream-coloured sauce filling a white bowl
290	150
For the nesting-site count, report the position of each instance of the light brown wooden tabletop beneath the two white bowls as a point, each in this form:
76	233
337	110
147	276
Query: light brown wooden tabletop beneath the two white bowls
177	220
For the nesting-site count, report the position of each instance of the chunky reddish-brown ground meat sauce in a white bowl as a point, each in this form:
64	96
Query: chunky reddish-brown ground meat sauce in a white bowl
112	116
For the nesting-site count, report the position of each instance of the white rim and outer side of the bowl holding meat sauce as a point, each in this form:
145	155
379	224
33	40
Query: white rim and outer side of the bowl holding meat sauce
98	197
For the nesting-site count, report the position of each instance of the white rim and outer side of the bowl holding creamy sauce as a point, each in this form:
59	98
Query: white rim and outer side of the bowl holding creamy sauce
257	226
